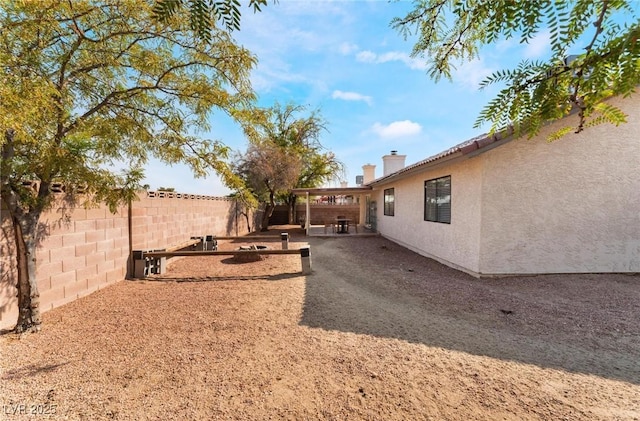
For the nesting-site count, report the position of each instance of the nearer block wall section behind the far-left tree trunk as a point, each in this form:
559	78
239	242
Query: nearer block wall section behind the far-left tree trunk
76	256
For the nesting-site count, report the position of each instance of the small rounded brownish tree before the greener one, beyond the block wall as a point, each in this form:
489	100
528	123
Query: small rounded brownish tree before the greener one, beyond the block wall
268	170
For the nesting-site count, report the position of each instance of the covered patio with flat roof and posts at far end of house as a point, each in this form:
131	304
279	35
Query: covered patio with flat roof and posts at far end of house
330	227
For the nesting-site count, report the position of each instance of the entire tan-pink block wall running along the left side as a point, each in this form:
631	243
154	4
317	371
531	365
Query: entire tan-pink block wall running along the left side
90	249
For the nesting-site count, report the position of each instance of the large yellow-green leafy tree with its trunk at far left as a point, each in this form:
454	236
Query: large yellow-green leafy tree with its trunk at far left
86	84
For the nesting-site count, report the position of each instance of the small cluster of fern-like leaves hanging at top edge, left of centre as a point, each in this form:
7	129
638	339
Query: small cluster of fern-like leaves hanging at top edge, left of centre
204	13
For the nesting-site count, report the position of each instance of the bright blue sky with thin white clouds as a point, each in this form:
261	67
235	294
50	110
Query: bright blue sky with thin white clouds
343	59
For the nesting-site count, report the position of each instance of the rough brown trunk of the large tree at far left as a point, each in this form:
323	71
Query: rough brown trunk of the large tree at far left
25	232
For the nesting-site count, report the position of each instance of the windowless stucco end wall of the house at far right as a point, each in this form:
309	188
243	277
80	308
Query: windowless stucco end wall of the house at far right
570	206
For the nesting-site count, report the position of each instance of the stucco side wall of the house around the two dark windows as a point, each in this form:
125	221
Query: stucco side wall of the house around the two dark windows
455	244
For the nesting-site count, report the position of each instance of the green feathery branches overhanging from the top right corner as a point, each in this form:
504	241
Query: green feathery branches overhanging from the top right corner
604	32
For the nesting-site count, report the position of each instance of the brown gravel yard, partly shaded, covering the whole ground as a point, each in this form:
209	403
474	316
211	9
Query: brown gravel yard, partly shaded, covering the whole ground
375	333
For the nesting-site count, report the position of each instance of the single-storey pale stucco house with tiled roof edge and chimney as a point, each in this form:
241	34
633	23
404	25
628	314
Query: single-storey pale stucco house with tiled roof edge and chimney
491	206
